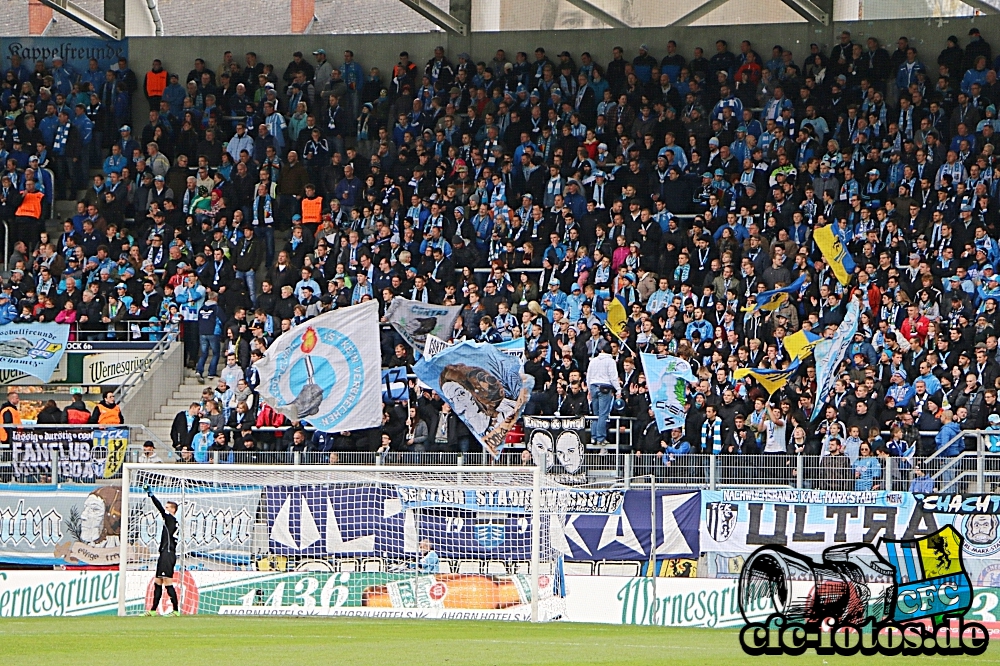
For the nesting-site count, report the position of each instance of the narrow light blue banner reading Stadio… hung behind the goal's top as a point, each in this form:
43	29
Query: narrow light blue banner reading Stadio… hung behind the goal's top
515	500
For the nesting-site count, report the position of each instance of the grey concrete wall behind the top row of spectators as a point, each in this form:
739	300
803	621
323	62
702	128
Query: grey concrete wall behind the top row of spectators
178	53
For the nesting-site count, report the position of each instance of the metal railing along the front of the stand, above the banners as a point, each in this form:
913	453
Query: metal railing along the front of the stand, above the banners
976	469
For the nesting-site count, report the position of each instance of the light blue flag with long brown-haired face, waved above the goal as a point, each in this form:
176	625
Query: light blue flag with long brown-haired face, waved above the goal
483	385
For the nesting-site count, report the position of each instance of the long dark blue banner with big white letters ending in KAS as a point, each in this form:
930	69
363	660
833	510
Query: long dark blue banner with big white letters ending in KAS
387	521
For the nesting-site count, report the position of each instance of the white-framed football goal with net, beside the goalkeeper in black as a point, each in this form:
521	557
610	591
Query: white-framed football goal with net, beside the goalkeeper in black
427	542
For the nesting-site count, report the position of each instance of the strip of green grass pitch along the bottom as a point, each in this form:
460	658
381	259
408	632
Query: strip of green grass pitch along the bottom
221	641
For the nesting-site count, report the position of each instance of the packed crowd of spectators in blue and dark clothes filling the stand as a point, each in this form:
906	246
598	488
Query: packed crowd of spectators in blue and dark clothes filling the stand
531	190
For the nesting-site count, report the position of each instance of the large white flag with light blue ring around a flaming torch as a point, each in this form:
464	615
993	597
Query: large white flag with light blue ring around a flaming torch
327	371
